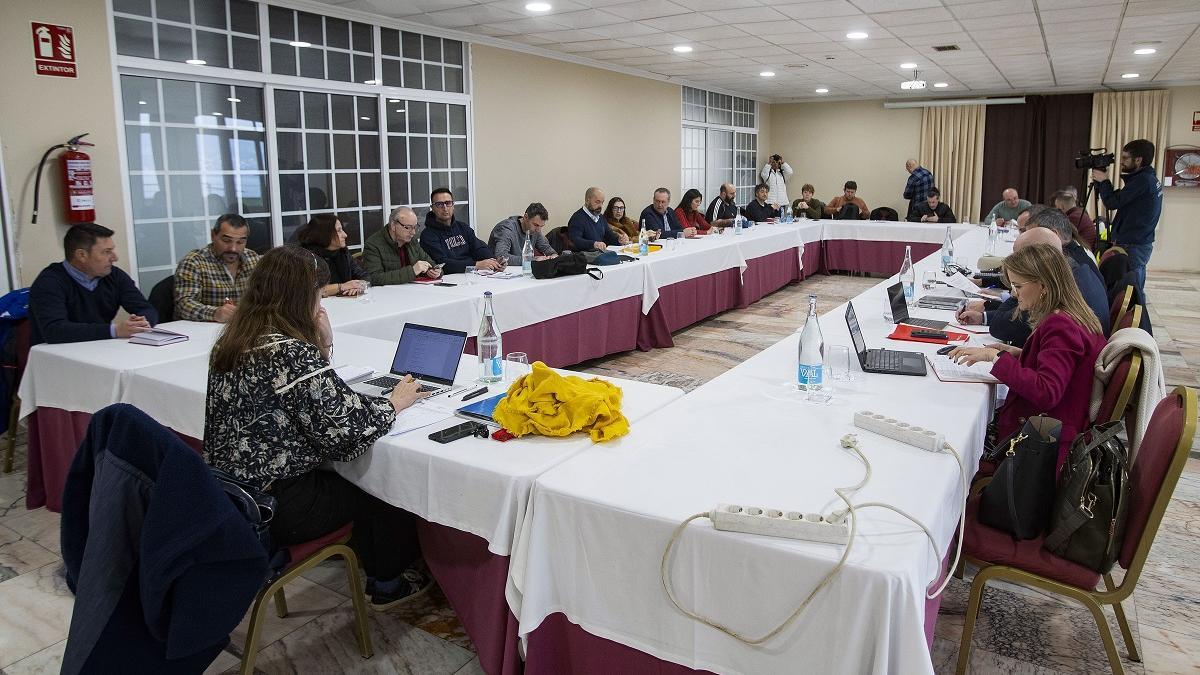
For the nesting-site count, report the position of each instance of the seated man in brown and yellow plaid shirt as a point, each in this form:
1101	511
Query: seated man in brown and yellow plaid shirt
209	280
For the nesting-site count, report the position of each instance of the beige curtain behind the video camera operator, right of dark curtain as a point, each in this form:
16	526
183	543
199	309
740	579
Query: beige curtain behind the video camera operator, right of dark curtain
1121	117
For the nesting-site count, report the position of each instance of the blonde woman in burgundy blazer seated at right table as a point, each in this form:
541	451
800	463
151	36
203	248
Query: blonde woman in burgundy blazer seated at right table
1053	374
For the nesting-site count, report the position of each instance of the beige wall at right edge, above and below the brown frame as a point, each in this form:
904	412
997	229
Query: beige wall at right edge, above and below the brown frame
1178	241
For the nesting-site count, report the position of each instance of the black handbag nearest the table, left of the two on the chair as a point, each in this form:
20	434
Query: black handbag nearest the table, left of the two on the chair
1022	492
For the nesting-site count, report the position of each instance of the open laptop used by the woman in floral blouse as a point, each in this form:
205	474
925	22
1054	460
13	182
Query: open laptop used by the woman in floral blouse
430	355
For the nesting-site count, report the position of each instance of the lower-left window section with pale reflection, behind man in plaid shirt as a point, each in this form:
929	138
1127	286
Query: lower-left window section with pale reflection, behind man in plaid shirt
195	152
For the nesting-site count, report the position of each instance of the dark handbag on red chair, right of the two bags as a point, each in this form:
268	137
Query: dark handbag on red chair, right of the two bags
1089	518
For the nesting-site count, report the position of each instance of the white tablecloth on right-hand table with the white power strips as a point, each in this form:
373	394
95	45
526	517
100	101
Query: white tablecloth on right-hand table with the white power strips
598	525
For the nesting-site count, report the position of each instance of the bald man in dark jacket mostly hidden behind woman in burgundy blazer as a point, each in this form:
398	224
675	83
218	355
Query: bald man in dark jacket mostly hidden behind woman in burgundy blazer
1003	319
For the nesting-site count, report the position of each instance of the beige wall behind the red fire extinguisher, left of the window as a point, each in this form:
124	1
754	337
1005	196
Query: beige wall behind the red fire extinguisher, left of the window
39	112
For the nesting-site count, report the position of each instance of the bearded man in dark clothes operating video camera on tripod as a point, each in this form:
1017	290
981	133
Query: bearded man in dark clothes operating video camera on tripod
1139	205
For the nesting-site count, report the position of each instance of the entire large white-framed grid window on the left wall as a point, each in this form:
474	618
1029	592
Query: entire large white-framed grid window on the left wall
309	127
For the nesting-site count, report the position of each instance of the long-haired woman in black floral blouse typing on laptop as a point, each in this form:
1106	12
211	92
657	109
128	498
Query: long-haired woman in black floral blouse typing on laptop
277	413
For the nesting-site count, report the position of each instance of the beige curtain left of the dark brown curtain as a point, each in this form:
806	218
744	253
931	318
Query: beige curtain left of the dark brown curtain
952	148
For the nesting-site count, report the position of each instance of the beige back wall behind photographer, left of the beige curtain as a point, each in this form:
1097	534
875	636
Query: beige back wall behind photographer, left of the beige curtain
831	144
